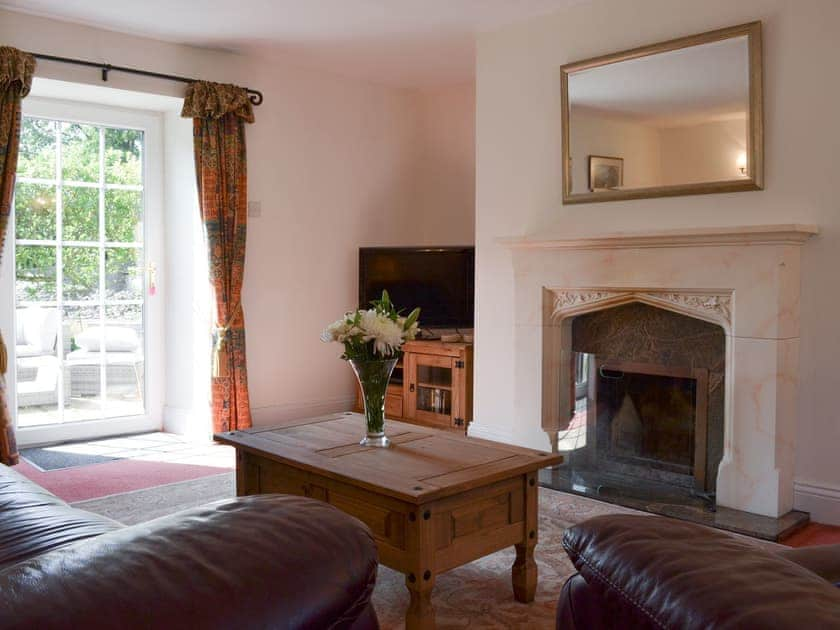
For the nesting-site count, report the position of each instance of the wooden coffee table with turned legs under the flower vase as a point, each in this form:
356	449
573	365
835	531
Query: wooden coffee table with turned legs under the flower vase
435	500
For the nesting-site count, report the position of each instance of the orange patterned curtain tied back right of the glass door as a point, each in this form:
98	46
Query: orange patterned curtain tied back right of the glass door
219	114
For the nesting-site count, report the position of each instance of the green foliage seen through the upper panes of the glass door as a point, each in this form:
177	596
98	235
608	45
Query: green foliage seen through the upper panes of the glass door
36	208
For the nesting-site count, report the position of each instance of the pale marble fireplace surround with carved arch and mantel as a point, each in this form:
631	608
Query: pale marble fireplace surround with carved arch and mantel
745	279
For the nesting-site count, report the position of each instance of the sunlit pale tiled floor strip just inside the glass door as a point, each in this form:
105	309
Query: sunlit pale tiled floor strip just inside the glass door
156	447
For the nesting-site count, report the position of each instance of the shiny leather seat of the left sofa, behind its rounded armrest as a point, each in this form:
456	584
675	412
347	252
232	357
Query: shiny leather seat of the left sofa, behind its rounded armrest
33	521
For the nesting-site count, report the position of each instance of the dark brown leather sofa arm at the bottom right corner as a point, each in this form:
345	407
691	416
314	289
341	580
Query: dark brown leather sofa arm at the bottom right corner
658	573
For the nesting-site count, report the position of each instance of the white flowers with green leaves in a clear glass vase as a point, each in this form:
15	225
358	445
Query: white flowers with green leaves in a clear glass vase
373	341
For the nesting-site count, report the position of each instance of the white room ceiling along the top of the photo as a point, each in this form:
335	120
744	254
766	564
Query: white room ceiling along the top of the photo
406	43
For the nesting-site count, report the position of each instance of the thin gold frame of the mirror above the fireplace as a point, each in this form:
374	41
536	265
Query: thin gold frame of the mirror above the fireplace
755	133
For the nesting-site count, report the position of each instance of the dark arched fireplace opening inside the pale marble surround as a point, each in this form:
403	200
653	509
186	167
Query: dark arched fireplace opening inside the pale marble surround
646	406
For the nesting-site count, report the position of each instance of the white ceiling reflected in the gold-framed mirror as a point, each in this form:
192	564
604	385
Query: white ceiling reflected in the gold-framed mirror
687	86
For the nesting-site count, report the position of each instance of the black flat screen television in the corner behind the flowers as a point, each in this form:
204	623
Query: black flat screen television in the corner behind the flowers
440	280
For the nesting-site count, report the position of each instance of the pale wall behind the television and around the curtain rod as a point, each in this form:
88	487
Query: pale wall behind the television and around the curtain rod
334	163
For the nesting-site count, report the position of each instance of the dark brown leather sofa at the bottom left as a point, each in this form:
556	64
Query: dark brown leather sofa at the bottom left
267	561
